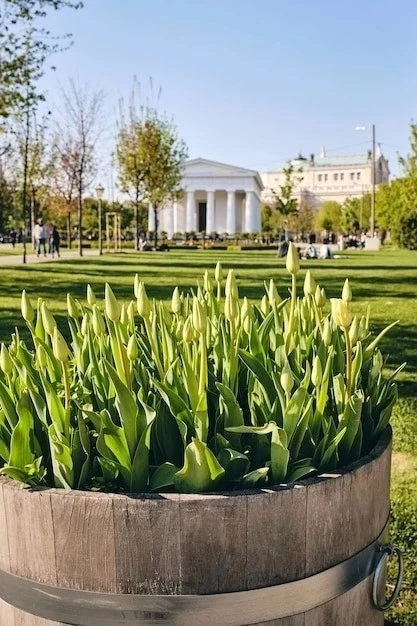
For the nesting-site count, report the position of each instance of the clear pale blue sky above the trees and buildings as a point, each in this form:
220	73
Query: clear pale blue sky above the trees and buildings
252	82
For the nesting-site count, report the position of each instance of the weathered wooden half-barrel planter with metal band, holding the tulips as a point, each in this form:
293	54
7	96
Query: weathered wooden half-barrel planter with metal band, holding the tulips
299	555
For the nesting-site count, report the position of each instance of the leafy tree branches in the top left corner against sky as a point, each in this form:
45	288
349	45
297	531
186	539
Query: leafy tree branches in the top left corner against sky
24	49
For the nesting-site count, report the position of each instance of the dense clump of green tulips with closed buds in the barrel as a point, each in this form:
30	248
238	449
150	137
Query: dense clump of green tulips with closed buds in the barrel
209	393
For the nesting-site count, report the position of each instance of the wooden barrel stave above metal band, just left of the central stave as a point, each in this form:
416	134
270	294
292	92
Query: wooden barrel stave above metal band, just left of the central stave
147	544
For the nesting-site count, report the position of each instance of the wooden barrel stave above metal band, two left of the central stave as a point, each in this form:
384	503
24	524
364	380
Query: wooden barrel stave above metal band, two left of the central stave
84	541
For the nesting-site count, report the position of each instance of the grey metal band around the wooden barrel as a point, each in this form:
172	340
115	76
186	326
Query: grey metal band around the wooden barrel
90	608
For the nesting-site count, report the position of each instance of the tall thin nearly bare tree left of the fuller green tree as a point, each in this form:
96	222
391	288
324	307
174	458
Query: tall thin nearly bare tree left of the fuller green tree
75	144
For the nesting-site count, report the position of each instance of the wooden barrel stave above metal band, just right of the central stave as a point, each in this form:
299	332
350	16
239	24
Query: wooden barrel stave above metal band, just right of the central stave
276	537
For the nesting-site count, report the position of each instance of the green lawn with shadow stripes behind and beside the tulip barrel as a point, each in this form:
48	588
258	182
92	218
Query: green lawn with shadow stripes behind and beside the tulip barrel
386	280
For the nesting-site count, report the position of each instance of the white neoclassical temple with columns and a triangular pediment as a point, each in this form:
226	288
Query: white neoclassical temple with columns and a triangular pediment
217	198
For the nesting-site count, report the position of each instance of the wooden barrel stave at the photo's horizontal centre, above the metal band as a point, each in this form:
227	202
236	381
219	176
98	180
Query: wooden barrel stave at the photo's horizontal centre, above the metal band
213	543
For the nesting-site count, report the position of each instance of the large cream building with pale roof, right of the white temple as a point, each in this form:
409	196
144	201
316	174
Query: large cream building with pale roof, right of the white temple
330	177
